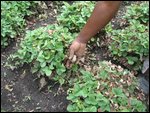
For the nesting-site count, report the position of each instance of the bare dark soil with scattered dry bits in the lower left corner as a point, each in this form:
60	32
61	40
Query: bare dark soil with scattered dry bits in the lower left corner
20	90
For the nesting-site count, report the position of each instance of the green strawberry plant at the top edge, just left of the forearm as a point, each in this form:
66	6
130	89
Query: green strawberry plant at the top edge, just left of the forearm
74	16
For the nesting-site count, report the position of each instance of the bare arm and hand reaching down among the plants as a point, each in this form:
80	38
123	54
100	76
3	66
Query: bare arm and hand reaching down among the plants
103	12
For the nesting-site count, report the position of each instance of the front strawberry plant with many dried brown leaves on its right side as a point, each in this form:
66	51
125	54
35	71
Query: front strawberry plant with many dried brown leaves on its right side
110	89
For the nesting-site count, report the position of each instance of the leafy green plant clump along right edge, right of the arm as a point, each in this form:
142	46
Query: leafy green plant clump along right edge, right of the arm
132	42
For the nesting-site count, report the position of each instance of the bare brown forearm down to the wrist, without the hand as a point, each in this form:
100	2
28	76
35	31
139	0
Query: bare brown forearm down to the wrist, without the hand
102	14
